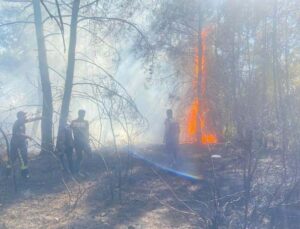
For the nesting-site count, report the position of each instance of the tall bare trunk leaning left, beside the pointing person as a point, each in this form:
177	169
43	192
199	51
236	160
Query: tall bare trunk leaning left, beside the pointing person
46	124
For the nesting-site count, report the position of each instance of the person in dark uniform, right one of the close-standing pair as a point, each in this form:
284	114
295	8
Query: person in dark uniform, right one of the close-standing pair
80	128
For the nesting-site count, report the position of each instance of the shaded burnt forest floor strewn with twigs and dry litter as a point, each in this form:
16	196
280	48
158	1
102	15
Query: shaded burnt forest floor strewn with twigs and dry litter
150	197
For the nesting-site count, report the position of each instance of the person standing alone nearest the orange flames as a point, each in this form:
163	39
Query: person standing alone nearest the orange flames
171	136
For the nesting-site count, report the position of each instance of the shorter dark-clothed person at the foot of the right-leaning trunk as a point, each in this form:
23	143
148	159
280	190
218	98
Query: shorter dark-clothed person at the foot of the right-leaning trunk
65	148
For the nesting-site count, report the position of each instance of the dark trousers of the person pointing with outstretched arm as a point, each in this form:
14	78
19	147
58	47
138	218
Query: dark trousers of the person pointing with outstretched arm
18	149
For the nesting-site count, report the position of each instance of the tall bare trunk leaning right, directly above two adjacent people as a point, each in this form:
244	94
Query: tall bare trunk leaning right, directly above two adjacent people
70	68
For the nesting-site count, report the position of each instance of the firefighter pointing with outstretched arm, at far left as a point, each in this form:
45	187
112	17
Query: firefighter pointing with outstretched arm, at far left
19	143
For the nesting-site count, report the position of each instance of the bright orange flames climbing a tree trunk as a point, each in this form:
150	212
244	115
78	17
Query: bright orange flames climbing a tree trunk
197	116
